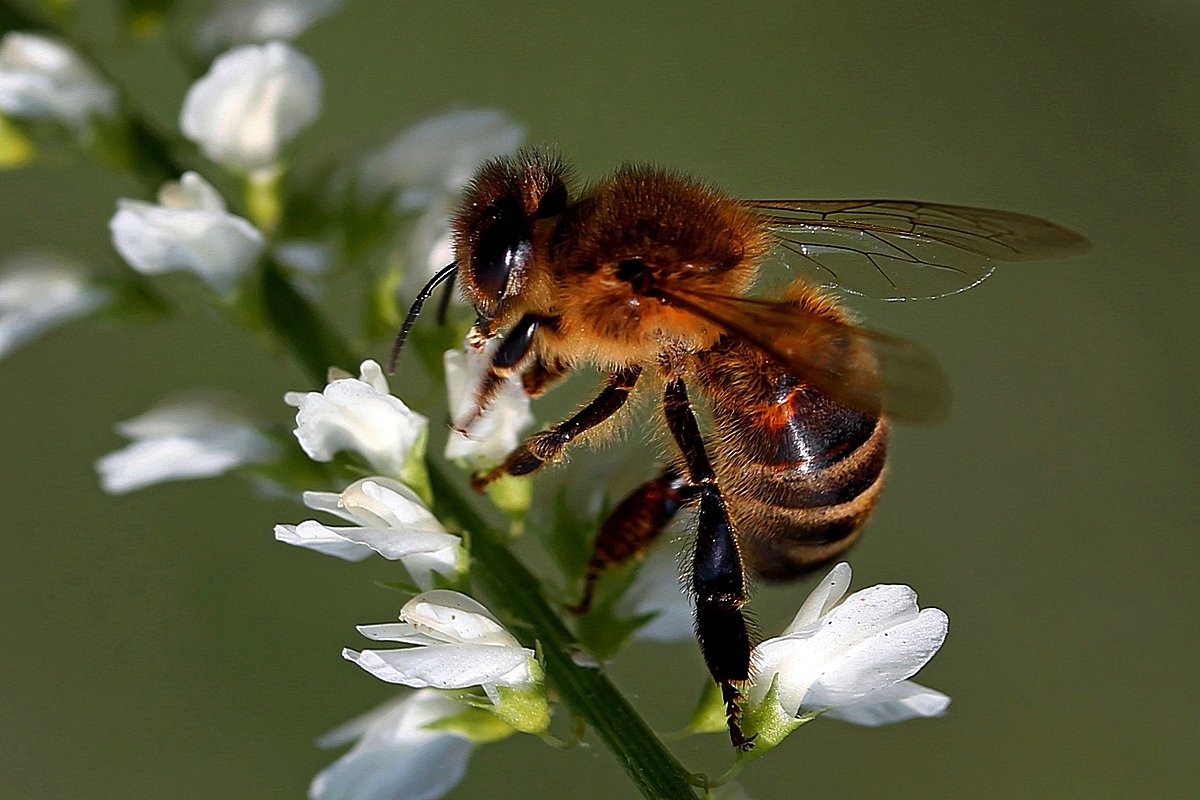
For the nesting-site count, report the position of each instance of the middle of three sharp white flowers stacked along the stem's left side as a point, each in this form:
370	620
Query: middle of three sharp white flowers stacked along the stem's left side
389	520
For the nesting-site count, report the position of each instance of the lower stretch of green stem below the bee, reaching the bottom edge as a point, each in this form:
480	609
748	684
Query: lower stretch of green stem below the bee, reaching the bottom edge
591	696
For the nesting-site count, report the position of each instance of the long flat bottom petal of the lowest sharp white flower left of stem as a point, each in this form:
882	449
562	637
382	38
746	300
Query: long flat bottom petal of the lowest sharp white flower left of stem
446	666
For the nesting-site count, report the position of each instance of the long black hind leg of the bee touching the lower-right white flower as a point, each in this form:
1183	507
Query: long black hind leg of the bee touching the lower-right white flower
717	579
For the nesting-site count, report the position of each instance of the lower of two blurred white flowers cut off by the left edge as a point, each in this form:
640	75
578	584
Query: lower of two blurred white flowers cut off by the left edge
39	292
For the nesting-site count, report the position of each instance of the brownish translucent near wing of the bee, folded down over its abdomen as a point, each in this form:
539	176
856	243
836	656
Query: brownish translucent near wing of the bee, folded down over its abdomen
859	368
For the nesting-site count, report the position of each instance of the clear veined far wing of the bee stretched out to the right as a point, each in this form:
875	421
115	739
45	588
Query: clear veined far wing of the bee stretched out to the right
907	250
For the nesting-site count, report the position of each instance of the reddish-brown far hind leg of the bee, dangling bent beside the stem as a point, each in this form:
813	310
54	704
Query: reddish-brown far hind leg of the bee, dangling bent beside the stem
632	528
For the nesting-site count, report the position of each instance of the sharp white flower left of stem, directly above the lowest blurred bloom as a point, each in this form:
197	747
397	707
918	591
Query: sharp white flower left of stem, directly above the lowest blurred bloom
459	645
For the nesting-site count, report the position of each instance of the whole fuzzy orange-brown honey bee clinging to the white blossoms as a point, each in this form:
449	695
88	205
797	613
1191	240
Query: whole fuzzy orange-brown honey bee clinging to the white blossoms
650	274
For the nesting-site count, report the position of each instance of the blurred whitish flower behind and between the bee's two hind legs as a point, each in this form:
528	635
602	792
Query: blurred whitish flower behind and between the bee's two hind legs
657	591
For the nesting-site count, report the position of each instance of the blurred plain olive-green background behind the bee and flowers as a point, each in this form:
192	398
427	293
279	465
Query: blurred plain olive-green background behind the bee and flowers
164	645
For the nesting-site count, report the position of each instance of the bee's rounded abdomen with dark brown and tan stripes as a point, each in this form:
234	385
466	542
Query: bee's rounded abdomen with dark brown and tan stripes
800	472
